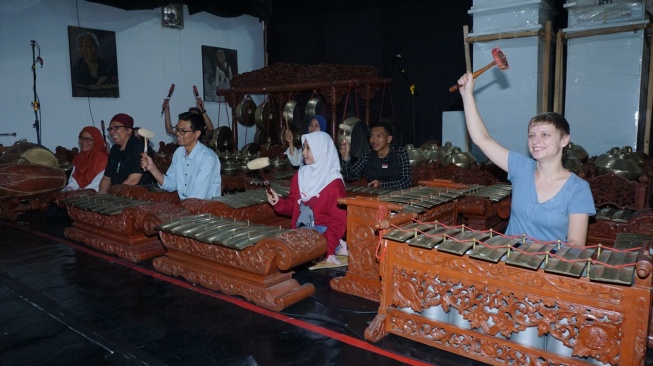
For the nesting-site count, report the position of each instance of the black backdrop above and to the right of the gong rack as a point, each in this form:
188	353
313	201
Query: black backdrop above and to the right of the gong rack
428	35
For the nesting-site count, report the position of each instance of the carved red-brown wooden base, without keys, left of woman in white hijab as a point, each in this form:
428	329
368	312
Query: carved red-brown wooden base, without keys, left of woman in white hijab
260	273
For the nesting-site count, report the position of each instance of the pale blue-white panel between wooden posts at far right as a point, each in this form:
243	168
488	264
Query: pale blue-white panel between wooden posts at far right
603	94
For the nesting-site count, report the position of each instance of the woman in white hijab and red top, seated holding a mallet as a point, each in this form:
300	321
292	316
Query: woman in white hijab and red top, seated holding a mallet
314	192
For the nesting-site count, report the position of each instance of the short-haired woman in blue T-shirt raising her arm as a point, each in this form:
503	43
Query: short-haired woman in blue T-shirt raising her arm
548	202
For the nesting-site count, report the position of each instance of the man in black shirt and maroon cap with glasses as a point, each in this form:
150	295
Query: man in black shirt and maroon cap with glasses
124	165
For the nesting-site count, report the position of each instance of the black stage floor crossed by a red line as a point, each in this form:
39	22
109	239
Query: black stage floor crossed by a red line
63	303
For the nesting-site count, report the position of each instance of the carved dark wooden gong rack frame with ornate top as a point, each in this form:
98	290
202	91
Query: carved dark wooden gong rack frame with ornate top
281	79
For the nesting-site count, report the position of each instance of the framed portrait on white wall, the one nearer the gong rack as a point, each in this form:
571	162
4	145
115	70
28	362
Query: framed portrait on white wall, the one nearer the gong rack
219	65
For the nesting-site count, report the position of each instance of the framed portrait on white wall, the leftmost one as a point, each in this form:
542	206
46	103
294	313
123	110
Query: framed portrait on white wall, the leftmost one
93	63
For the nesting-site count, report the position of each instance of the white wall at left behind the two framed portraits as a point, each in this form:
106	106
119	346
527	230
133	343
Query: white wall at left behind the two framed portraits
150	58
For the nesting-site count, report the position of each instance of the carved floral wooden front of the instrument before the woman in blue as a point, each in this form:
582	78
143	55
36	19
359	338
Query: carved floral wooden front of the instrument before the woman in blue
478	309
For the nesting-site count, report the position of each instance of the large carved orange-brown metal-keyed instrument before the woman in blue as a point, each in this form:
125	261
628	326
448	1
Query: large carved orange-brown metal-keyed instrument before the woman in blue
514	300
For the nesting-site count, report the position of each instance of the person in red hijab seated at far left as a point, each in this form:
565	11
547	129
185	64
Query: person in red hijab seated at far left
89	164
